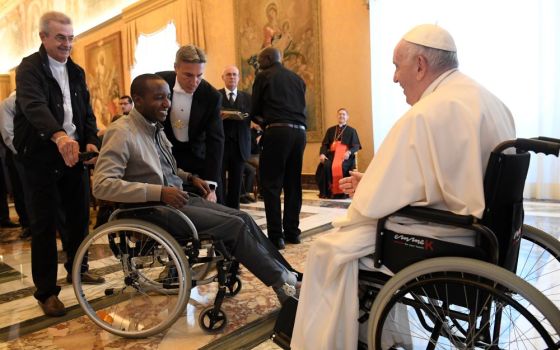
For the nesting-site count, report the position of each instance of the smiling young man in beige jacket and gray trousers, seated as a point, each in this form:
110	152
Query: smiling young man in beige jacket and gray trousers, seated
136	166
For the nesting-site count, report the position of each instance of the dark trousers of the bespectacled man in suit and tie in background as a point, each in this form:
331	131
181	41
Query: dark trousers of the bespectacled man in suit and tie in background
232	171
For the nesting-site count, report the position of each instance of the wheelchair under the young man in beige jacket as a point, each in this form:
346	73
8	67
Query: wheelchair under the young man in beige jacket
151	256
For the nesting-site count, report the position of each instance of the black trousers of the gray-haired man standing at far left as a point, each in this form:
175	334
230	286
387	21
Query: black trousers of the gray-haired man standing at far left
59	199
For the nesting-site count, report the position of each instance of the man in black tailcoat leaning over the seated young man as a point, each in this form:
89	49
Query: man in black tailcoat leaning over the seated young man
194	126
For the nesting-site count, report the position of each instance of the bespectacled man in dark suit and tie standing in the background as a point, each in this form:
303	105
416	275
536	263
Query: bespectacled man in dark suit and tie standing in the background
237	145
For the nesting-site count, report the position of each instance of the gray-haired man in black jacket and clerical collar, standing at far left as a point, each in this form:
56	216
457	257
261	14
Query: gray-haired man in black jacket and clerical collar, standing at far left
53	123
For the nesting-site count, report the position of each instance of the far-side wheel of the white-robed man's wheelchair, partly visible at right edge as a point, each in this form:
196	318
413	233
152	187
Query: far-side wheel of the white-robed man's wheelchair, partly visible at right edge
539	262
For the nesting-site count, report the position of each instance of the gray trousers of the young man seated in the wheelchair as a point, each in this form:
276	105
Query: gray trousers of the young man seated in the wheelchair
242	237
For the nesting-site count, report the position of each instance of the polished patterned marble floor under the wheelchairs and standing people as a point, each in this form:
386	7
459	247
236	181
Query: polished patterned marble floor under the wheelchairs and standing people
23	326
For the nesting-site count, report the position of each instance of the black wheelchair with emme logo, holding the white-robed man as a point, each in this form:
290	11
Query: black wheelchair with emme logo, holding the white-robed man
501	293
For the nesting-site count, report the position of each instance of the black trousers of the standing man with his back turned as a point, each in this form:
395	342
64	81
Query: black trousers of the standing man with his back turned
280	168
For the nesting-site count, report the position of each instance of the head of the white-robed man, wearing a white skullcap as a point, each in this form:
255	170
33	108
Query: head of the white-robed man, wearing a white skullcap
422	55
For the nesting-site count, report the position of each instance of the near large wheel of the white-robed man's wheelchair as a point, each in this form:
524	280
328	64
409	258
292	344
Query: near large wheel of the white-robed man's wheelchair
460	303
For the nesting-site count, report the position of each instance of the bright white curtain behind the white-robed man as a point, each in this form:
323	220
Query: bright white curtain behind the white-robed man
512	47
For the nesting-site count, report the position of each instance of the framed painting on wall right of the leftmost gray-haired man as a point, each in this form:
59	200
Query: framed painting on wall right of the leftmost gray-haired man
104	73
